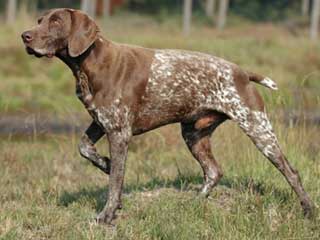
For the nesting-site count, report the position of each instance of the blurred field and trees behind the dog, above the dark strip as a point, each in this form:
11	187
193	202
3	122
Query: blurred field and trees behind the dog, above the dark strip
277	38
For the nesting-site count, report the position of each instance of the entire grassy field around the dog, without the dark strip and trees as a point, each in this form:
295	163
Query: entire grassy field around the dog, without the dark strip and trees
49	192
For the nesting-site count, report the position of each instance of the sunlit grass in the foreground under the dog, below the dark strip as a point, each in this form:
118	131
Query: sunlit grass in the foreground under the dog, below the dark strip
49	192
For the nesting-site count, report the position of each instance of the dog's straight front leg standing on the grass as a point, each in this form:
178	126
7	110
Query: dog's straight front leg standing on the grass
118	141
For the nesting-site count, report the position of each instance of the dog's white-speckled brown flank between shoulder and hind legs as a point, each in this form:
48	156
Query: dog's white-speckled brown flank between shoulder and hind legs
182	85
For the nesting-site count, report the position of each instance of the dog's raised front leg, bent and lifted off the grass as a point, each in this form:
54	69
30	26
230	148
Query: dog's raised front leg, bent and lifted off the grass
88	150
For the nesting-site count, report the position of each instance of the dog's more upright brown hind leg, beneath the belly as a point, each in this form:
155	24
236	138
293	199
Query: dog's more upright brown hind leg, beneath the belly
198	142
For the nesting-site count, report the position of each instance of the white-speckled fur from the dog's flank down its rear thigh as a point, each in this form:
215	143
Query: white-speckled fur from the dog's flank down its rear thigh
191	82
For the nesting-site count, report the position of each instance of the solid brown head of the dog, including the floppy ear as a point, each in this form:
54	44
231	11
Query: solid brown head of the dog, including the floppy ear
61	29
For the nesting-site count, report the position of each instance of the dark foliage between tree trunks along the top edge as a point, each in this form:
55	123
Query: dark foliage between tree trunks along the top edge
255	10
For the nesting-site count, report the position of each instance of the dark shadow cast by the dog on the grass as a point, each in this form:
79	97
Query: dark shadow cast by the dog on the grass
181	183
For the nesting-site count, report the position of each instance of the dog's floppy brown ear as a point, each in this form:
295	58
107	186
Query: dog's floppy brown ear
83	33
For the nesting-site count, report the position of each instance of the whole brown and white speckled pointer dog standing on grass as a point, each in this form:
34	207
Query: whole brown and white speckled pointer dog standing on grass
129	90
